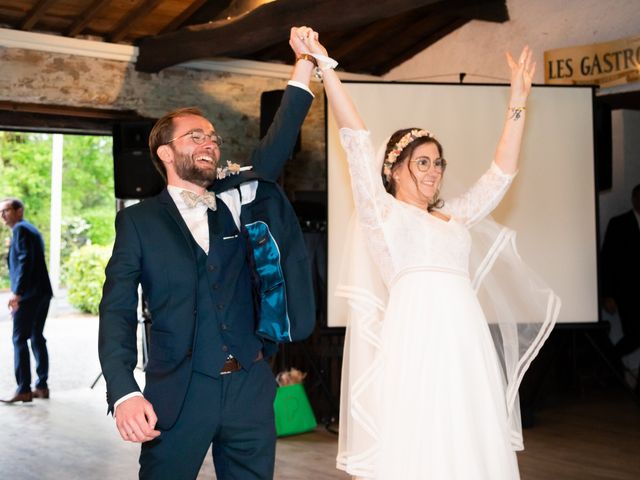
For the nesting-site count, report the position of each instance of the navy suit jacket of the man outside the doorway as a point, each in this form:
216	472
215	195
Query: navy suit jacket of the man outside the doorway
27	267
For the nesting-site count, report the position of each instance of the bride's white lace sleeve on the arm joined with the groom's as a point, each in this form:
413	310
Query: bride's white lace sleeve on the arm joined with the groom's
372	202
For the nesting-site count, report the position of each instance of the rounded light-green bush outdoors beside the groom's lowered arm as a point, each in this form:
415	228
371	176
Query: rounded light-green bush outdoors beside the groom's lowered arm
85	277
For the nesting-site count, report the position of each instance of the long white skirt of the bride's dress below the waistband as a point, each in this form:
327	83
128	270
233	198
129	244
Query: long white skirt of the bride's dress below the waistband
442	411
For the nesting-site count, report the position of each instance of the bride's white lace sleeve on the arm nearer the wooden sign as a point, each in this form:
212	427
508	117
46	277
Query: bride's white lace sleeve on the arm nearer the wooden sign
480	200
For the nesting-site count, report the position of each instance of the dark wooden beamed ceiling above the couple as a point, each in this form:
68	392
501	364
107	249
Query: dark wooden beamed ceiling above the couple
365	36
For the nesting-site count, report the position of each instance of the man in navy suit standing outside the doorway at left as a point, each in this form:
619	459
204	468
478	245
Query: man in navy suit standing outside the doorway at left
29	303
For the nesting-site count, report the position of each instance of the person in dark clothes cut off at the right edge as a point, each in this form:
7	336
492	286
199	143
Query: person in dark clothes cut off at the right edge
621	273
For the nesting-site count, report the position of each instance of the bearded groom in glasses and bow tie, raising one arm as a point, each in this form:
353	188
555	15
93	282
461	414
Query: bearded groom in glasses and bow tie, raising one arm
207	381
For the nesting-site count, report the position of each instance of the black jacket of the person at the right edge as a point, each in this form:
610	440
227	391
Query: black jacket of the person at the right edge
620	258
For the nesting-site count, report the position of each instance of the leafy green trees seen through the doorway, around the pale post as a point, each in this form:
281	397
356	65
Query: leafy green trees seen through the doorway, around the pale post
88	203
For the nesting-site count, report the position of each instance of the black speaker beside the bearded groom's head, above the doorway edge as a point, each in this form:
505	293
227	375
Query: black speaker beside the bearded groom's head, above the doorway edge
134	173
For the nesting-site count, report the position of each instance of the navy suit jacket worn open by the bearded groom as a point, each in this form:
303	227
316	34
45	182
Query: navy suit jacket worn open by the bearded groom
154	248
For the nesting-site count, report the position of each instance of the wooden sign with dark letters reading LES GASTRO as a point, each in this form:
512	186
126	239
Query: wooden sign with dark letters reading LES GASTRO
604	64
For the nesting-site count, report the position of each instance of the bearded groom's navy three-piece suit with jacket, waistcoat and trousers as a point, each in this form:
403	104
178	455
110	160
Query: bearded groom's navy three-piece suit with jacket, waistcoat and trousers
203	309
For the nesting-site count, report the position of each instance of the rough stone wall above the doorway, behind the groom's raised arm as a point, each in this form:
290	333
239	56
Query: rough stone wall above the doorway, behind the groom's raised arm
231	101
